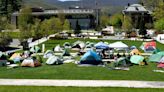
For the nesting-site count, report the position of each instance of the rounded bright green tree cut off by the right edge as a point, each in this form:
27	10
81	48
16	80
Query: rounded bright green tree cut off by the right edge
159	25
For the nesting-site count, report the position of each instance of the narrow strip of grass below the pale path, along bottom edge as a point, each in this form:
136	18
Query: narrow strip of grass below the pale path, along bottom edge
72	89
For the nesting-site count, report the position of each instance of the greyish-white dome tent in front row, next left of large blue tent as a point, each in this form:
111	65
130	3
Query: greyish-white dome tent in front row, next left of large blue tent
53	60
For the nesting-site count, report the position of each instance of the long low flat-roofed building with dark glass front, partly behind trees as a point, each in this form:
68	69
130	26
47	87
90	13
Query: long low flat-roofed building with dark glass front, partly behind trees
87	18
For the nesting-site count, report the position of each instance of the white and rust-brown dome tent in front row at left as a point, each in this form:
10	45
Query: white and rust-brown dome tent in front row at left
30	62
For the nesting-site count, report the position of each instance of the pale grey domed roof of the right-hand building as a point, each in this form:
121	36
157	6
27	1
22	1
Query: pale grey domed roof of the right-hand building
136	8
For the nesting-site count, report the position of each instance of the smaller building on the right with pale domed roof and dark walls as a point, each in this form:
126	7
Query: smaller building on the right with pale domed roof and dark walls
138	12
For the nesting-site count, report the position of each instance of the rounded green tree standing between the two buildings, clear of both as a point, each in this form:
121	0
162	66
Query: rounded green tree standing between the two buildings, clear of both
116	20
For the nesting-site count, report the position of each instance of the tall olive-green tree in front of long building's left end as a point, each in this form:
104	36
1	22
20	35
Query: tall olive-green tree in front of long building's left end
24	22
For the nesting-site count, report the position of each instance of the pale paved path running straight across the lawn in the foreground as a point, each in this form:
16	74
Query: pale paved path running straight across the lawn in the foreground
82	83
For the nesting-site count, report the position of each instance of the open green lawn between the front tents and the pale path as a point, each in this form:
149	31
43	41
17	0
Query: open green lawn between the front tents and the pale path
72	71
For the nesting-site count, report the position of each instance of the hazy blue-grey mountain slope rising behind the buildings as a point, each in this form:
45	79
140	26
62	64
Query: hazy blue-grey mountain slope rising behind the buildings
109	6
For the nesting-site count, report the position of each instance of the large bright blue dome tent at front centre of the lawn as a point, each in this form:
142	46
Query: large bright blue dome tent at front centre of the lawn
91	57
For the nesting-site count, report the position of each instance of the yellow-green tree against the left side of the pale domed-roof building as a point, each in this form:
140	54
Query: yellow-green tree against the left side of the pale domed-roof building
127	24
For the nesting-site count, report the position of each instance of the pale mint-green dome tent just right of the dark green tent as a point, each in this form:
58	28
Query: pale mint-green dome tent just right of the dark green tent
136	59
